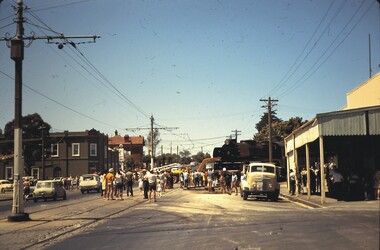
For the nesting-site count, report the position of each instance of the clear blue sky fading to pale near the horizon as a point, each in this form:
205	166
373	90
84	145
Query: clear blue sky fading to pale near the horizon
200	67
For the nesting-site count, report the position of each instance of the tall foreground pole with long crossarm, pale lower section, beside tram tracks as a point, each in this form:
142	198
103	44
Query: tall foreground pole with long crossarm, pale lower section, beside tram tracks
17	55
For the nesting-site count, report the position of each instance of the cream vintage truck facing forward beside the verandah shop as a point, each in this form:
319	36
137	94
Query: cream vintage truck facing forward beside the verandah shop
259	180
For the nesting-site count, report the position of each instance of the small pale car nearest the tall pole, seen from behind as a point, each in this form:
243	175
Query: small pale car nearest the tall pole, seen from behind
49	189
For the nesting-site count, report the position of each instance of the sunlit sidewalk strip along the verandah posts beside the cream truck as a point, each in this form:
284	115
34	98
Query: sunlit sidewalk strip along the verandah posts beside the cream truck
313	202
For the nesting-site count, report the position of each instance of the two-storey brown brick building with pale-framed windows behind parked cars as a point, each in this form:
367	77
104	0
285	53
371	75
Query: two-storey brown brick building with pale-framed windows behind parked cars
69	154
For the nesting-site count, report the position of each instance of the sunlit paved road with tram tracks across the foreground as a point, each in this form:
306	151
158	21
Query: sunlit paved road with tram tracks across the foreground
184	219
